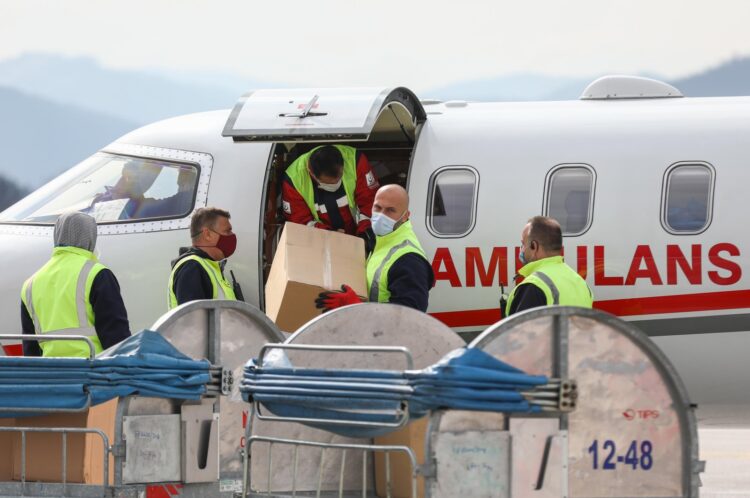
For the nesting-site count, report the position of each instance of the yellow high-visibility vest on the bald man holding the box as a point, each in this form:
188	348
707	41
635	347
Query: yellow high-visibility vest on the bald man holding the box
387	250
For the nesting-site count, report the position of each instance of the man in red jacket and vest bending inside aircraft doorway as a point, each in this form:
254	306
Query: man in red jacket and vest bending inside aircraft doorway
331	187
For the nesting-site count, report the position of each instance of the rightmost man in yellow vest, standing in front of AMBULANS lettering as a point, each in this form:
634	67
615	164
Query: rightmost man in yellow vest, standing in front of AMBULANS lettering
547	279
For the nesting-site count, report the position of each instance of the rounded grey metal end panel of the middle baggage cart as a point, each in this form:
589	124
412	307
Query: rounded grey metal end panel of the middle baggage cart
370	325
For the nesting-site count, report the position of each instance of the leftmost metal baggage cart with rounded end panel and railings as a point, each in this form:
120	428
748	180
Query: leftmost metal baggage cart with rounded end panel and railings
170	445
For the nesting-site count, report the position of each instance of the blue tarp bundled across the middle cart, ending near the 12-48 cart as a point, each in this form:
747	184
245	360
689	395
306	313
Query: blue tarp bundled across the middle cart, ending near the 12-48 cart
466	379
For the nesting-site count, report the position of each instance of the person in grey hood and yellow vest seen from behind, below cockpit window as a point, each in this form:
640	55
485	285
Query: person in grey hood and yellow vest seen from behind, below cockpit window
73	294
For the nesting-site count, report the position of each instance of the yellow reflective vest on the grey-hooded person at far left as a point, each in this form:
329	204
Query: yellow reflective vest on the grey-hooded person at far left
57	298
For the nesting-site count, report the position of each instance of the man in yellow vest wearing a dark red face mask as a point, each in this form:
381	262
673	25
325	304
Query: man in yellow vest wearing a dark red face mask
198	272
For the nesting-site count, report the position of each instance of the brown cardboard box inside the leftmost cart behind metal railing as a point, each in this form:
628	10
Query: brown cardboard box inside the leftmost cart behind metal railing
85	452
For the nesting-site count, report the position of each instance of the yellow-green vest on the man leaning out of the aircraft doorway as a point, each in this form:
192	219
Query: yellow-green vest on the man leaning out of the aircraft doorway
299	174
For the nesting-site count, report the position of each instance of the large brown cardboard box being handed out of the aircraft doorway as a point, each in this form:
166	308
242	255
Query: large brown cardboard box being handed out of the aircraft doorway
307	262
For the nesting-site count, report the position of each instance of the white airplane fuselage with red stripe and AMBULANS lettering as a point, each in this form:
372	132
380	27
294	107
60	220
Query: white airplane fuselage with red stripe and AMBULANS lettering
613	167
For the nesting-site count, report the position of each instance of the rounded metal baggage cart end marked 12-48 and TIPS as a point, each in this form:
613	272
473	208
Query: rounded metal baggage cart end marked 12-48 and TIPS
633	433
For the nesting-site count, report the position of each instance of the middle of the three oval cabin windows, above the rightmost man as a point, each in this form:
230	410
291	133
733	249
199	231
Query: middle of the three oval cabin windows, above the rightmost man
569	196
